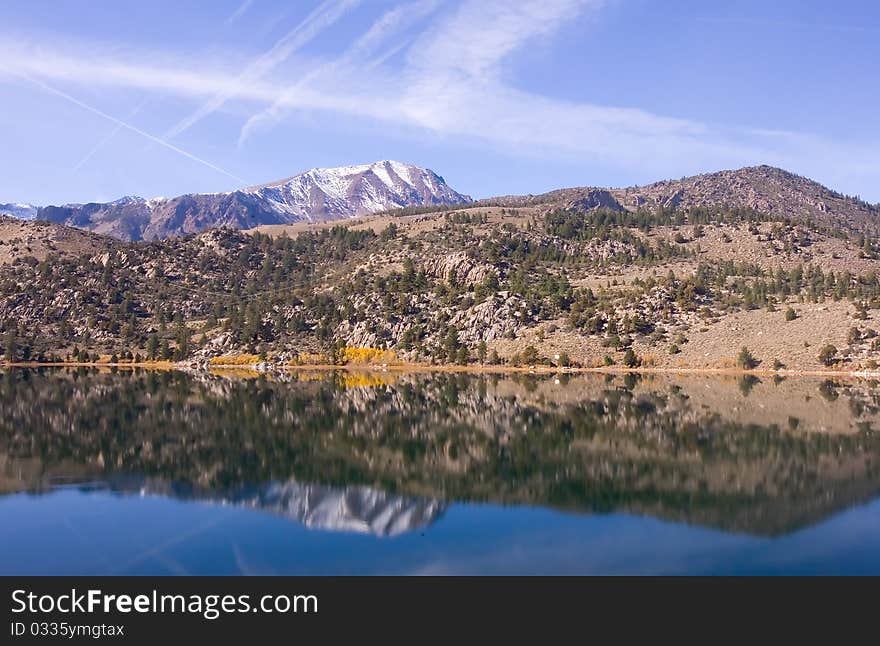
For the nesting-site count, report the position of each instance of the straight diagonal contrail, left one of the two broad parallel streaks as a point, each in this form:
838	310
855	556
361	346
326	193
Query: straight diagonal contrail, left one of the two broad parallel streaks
327	13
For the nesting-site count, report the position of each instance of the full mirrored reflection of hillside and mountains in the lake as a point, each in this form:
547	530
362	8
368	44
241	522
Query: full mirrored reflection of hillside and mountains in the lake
386	453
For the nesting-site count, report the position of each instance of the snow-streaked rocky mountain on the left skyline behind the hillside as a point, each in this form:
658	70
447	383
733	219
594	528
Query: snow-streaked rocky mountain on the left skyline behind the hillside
320	194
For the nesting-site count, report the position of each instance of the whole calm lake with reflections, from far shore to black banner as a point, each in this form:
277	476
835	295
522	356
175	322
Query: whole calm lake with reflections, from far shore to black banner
149	472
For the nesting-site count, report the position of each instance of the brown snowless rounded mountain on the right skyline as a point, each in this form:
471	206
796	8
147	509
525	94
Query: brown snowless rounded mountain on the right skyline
772	191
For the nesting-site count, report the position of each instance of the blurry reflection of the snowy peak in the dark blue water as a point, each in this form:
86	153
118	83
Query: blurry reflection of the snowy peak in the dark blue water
360	510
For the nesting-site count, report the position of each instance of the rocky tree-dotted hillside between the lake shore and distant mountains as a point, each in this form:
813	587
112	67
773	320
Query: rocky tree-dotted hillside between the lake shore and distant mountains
583	282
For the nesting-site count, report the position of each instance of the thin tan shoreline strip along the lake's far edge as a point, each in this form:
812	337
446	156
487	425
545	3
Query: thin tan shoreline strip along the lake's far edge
477	369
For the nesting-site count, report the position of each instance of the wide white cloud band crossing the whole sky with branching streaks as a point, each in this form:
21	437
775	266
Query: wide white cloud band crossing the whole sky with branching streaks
449	80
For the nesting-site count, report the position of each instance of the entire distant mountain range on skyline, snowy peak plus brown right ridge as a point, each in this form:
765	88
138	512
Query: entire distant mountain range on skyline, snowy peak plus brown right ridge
327	194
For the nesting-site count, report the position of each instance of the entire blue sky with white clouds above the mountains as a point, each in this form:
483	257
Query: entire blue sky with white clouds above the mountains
104	98
